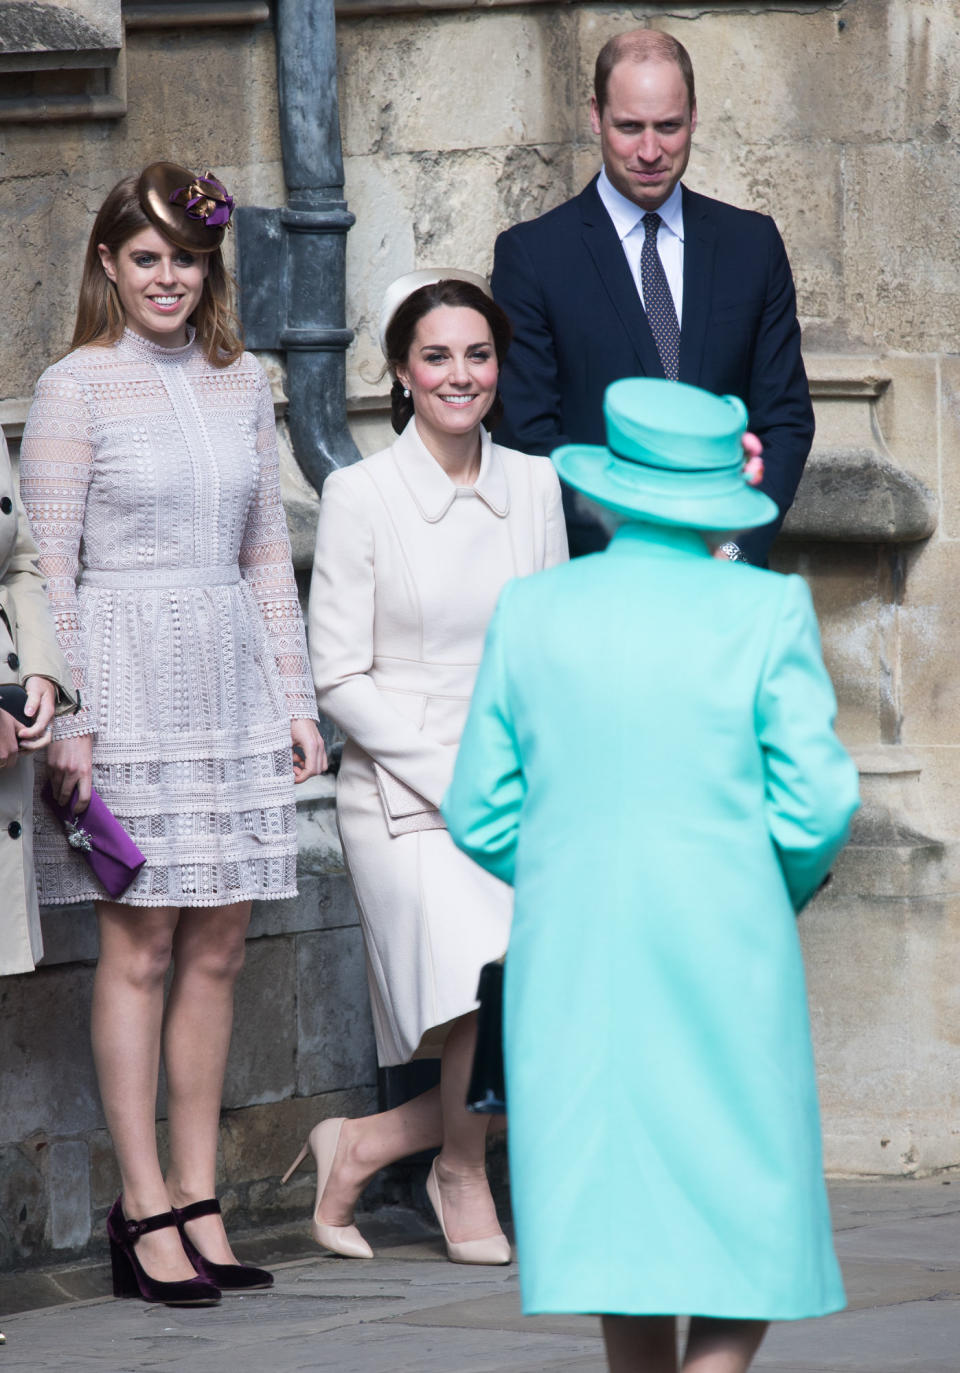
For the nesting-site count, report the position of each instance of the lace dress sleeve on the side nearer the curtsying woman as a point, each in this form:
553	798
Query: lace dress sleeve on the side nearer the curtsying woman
267	568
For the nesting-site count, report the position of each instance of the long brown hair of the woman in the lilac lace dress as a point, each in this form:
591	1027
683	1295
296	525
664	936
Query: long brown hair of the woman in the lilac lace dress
101	318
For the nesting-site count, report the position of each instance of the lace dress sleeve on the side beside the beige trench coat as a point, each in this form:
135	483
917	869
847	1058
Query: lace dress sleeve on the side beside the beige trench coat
57	465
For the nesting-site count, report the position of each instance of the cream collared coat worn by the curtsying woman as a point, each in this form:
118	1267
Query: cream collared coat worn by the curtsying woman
407	573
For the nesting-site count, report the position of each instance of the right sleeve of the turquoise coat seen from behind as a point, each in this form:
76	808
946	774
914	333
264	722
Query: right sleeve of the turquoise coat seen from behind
811	781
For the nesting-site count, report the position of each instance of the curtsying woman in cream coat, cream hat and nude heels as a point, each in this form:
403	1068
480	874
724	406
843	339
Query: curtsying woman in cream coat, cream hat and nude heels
414	547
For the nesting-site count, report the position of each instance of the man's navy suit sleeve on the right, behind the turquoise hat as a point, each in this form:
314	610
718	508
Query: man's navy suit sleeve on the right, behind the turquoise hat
779	397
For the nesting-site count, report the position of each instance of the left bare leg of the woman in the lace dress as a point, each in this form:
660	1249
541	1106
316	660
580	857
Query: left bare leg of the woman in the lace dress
126	1032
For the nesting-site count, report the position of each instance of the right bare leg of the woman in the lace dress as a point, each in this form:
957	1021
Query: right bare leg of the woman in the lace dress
208	956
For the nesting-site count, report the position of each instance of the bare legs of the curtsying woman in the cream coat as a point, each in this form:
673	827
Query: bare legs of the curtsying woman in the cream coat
436	1117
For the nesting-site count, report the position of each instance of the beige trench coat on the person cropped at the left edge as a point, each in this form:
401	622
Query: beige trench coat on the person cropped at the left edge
28	649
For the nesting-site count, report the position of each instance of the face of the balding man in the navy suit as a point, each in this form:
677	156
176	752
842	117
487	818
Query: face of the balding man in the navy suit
645	130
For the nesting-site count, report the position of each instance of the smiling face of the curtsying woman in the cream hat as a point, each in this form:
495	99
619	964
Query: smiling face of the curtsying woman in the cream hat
451	371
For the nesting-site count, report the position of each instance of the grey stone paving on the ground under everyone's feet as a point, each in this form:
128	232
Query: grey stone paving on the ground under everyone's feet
411	1312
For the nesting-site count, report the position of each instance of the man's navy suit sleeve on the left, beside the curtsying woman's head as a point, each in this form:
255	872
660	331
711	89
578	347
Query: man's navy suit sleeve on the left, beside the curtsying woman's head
529	378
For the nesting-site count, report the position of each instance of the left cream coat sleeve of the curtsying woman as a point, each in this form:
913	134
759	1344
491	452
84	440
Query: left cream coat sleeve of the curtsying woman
341	634
